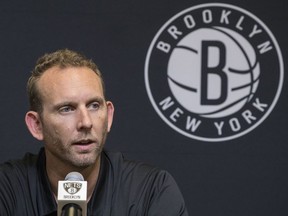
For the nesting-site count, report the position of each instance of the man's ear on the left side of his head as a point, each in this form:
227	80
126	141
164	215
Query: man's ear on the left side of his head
34	125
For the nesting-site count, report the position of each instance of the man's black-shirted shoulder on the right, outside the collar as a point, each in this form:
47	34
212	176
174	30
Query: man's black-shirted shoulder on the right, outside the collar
144	187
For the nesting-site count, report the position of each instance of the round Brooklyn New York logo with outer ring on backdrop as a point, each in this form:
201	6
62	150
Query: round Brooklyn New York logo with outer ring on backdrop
214	72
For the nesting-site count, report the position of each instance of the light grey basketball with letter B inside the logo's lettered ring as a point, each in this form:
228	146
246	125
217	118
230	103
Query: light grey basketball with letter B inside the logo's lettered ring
241	71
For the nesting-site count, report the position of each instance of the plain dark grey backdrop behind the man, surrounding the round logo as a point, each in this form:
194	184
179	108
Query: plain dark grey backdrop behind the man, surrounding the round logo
244	176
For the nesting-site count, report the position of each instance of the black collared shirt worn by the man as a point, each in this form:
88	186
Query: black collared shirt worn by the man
123	188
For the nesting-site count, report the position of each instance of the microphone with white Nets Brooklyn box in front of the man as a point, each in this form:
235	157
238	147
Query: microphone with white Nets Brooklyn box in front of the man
72	195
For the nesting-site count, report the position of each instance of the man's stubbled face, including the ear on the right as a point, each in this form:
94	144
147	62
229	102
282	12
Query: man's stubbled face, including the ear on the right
75	118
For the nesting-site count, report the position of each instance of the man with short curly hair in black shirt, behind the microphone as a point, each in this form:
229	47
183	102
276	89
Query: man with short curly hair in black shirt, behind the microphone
69	113
